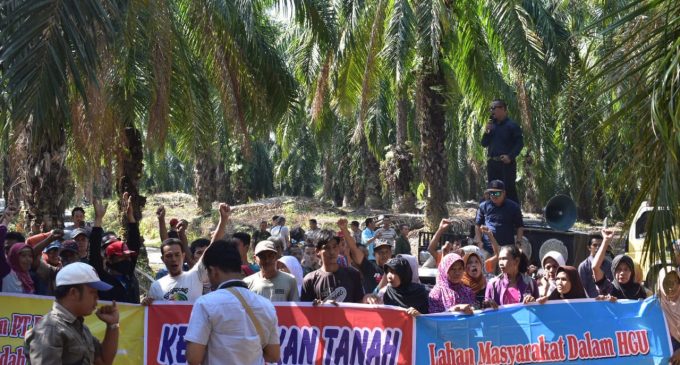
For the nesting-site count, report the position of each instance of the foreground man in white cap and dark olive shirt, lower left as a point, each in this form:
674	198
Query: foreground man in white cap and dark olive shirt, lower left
61	337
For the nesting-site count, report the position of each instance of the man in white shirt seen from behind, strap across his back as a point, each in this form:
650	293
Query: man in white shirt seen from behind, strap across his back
231	325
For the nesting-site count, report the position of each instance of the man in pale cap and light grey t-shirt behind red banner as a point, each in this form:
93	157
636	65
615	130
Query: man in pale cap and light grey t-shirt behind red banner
270	283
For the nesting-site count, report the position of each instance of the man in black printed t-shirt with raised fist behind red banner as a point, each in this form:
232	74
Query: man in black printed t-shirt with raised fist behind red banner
331	282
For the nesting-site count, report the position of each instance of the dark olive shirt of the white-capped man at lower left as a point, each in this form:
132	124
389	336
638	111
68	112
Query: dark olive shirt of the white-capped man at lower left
61	338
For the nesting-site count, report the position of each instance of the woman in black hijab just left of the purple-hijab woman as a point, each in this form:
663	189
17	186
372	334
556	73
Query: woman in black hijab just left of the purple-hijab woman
402	292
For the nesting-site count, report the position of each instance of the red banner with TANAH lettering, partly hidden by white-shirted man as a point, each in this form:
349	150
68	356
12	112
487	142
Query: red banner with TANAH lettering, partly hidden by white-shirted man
348	334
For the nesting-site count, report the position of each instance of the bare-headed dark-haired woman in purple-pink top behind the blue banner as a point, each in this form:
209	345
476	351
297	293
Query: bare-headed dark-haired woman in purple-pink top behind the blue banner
512	286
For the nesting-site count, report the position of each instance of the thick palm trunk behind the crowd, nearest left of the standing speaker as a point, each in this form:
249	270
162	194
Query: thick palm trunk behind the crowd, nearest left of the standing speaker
432	122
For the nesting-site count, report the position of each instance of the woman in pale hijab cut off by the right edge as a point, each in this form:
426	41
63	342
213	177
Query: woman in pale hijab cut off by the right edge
669	296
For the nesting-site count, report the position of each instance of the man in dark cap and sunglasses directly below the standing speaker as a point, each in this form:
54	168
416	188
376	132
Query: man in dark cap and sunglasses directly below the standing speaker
502	216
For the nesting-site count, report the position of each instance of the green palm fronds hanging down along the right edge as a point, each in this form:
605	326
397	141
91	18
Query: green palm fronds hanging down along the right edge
637	76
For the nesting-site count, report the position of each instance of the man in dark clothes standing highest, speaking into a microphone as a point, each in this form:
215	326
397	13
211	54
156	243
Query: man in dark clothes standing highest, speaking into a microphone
504	141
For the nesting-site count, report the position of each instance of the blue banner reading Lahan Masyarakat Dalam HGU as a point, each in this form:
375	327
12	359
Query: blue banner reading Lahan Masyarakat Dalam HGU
580	331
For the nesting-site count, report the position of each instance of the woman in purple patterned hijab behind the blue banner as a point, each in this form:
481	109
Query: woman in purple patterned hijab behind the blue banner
449	292
